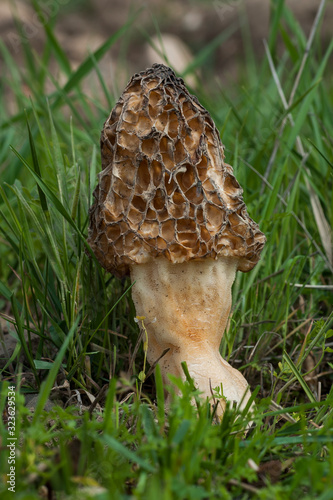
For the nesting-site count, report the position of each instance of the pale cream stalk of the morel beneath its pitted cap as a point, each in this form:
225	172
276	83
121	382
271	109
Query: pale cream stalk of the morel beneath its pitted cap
186	308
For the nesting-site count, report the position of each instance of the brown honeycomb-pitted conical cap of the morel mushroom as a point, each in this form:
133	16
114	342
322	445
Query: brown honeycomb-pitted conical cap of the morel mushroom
164	189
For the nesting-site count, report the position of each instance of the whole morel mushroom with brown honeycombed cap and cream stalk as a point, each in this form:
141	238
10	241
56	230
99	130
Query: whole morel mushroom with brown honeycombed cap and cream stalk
169	212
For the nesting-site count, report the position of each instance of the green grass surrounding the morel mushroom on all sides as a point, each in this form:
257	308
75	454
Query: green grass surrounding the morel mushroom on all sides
104	434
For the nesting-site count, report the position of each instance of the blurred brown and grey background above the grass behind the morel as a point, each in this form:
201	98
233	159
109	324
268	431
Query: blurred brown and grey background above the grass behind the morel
220	37
